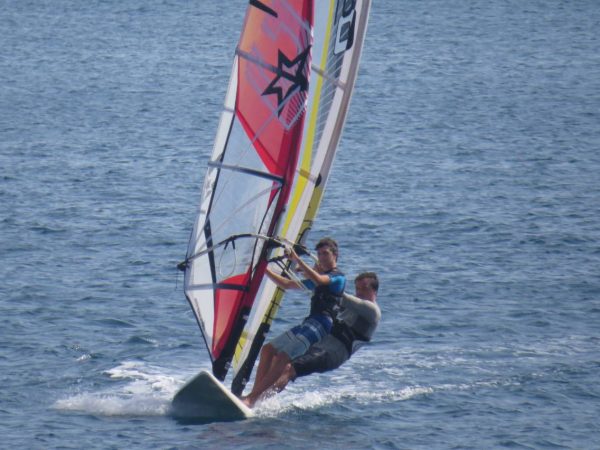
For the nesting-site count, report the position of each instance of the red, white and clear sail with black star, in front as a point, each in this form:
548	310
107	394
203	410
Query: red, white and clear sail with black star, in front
251	171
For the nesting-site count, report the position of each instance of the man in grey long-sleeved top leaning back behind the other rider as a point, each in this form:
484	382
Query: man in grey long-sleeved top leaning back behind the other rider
354	326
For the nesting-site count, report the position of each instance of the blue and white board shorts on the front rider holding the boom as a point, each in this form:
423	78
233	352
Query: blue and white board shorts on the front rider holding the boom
296	341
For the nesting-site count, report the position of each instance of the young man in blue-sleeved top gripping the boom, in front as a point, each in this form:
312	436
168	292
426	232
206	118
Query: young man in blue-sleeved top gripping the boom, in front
327	284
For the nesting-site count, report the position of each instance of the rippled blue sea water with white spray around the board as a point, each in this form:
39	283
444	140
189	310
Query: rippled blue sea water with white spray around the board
467	177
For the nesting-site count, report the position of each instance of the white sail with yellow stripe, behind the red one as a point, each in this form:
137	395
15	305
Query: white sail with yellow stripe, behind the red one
339	31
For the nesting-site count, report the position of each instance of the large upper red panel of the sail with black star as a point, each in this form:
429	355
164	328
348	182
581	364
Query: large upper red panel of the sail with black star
273	77
